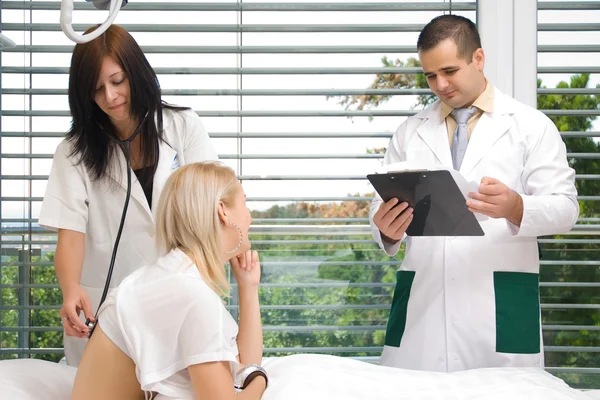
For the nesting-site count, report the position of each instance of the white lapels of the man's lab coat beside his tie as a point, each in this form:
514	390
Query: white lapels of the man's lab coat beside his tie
491	127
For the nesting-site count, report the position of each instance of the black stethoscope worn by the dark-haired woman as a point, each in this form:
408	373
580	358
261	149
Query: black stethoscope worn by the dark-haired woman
127	150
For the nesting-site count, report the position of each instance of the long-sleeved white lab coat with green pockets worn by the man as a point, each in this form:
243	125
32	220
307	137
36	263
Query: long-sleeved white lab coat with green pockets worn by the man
473	302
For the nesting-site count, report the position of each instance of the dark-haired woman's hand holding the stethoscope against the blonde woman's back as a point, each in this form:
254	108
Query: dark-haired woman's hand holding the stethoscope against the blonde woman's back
75	300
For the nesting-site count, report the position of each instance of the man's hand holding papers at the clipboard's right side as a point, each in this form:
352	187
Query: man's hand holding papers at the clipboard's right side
497	200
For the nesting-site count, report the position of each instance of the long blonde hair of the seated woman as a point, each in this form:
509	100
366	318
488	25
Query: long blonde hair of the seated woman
187	217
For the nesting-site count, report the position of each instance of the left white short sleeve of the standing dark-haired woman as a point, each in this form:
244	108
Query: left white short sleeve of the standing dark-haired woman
65	204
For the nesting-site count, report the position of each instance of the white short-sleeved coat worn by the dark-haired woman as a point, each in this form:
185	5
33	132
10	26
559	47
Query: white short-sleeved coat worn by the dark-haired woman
72	201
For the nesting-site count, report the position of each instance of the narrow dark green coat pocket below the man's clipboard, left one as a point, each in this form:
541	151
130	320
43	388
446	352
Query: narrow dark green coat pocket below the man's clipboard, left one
397	319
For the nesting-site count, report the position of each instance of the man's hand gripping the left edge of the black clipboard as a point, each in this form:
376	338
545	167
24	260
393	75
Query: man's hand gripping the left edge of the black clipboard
393	220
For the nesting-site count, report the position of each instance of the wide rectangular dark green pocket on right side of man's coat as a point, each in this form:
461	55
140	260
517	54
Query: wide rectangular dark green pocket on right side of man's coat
517	312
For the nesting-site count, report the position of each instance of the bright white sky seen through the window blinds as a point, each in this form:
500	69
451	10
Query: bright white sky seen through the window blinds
311	167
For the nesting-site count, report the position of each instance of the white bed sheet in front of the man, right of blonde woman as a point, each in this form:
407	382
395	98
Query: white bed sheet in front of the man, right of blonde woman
322	377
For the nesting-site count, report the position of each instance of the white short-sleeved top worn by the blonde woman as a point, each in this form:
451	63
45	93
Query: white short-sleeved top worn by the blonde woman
166	318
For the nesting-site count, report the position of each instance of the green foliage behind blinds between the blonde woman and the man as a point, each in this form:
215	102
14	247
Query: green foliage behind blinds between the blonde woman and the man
325	293
